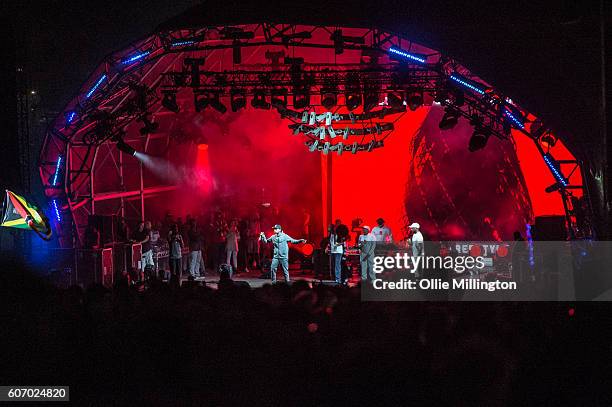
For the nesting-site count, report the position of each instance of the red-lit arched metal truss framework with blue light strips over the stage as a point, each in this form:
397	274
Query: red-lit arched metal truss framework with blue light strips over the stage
129	84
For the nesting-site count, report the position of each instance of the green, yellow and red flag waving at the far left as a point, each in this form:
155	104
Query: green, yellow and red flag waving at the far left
18	213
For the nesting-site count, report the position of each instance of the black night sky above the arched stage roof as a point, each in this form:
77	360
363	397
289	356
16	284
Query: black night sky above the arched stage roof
544	54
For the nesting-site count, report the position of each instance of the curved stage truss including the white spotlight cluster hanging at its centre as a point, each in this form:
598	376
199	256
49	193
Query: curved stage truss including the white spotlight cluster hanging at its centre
305	72
